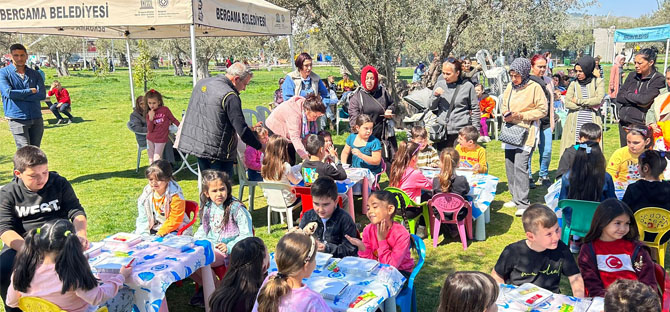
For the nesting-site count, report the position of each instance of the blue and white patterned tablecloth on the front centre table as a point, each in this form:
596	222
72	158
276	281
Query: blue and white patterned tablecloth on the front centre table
385	282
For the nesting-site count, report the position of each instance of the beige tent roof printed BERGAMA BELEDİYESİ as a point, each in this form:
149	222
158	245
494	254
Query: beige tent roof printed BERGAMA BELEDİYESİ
144	19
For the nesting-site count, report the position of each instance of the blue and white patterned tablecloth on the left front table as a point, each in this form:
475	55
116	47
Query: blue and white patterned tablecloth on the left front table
156	266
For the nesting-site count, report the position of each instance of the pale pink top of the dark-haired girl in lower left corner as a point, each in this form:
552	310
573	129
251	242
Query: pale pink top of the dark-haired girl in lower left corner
47	285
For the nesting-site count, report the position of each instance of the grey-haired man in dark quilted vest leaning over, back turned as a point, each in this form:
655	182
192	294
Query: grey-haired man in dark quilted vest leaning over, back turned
214	119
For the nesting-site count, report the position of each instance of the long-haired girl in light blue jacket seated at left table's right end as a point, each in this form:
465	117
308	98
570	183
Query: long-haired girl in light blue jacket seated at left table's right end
224	220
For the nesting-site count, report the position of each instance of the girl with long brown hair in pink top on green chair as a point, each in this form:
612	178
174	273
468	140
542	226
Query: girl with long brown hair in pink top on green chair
404	174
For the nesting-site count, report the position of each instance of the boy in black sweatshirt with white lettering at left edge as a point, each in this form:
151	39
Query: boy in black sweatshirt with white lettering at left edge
35	196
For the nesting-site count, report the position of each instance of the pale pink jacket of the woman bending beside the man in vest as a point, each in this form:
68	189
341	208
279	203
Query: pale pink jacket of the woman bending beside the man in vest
286	120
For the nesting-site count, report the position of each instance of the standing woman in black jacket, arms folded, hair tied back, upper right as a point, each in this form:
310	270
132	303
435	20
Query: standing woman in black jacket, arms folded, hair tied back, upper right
639	91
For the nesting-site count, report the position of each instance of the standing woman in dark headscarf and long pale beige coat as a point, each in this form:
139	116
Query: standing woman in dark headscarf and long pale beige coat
582	96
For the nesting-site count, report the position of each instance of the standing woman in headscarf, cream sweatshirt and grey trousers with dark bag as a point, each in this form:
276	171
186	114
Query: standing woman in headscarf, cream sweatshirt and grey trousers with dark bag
523	104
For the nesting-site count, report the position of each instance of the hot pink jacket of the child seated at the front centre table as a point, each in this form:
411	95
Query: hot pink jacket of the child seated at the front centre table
392	251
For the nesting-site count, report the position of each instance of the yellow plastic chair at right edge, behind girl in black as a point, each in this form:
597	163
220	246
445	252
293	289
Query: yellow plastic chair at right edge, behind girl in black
654	220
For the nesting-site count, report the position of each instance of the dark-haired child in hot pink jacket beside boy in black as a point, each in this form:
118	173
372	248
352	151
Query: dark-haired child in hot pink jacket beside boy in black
384	239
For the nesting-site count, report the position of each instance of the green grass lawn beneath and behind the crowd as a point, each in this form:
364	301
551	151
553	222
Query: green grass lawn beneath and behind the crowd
97	155
